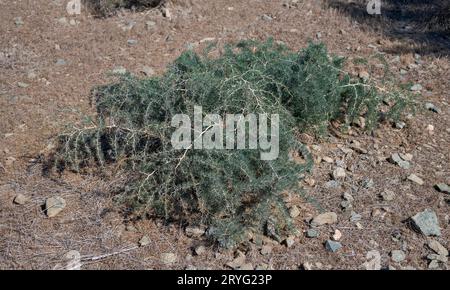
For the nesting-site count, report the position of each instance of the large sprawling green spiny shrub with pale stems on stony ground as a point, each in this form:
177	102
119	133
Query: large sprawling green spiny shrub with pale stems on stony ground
233	192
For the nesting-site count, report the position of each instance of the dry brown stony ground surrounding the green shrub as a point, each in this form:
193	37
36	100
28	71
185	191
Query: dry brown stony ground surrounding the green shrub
91	224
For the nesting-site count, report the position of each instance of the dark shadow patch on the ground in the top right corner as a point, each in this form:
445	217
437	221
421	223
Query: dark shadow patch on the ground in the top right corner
423	23
